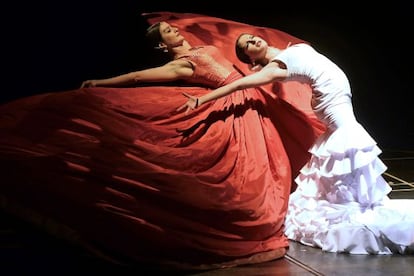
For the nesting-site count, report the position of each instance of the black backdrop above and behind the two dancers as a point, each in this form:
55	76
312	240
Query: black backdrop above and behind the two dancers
52	46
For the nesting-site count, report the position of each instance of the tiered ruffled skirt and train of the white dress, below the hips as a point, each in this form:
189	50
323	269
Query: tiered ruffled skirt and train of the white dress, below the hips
341	202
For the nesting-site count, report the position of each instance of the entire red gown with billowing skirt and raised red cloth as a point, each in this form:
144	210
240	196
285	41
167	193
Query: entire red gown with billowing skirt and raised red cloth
120	170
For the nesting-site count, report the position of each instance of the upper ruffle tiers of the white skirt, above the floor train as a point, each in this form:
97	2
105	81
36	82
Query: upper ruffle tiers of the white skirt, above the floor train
344	167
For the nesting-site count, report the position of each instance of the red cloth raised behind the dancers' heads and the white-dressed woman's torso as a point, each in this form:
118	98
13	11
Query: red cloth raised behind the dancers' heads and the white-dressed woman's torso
299	132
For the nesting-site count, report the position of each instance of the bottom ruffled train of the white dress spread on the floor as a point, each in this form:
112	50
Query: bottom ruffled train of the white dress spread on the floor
383	229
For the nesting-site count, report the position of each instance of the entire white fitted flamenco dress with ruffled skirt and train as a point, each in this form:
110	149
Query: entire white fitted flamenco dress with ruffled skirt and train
341	202
